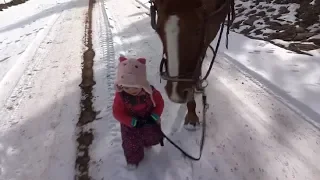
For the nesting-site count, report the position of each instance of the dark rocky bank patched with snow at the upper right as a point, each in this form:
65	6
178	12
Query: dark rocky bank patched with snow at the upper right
293	22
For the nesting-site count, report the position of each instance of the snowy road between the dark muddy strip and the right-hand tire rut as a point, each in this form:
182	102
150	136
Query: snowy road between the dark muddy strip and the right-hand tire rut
250	133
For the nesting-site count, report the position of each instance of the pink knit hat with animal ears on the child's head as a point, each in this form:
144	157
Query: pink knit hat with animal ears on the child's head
132	73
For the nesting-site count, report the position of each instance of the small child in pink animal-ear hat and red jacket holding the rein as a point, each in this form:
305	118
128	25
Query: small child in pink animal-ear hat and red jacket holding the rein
138	107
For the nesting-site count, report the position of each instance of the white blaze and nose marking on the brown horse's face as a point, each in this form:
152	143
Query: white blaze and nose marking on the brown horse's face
172	39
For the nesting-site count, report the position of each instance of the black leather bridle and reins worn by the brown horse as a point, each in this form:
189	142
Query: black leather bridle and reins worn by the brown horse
196	78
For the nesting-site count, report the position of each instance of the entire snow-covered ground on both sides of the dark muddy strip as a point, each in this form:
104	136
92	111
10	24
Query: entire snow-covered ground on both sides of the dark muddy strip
263	120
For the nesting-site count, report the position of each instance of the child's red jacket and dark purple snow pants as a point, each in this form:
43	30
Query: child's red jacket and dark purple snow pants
125	107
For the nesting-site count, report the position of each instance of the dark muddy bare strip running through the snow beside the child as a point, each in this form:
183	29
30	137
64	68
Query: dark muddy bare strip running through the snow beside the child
88	114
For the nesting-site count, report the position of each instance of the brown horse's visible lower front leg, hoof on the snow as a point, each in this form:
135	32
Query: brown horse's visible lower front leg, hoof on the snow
191	120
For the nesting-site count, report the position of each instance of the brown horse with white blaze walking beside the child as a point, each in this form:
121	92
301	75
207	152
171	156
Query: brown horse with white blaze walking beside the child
186	29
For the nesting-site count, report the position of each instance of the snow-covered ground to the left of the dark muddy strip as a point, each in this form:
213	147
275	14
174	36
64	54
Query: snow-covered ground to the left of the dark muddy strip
39	89
